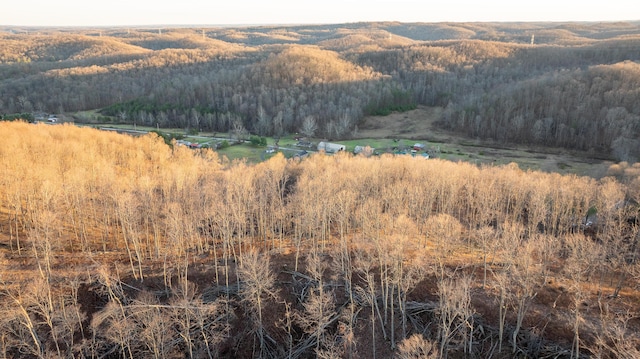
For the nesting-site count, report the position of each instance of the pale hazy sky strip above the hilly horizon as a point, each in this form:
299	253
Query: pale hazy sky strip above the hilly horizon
245	12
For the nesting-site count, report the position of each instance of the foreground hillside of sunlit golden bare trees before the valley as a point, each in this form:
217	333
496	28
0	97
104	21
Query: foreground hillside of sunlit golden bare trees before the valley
120	246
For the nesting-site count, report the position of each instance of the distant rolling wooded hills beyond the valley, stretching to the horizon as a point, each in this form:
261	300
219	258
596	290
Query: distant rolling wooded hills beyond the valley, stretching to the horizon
572	85
